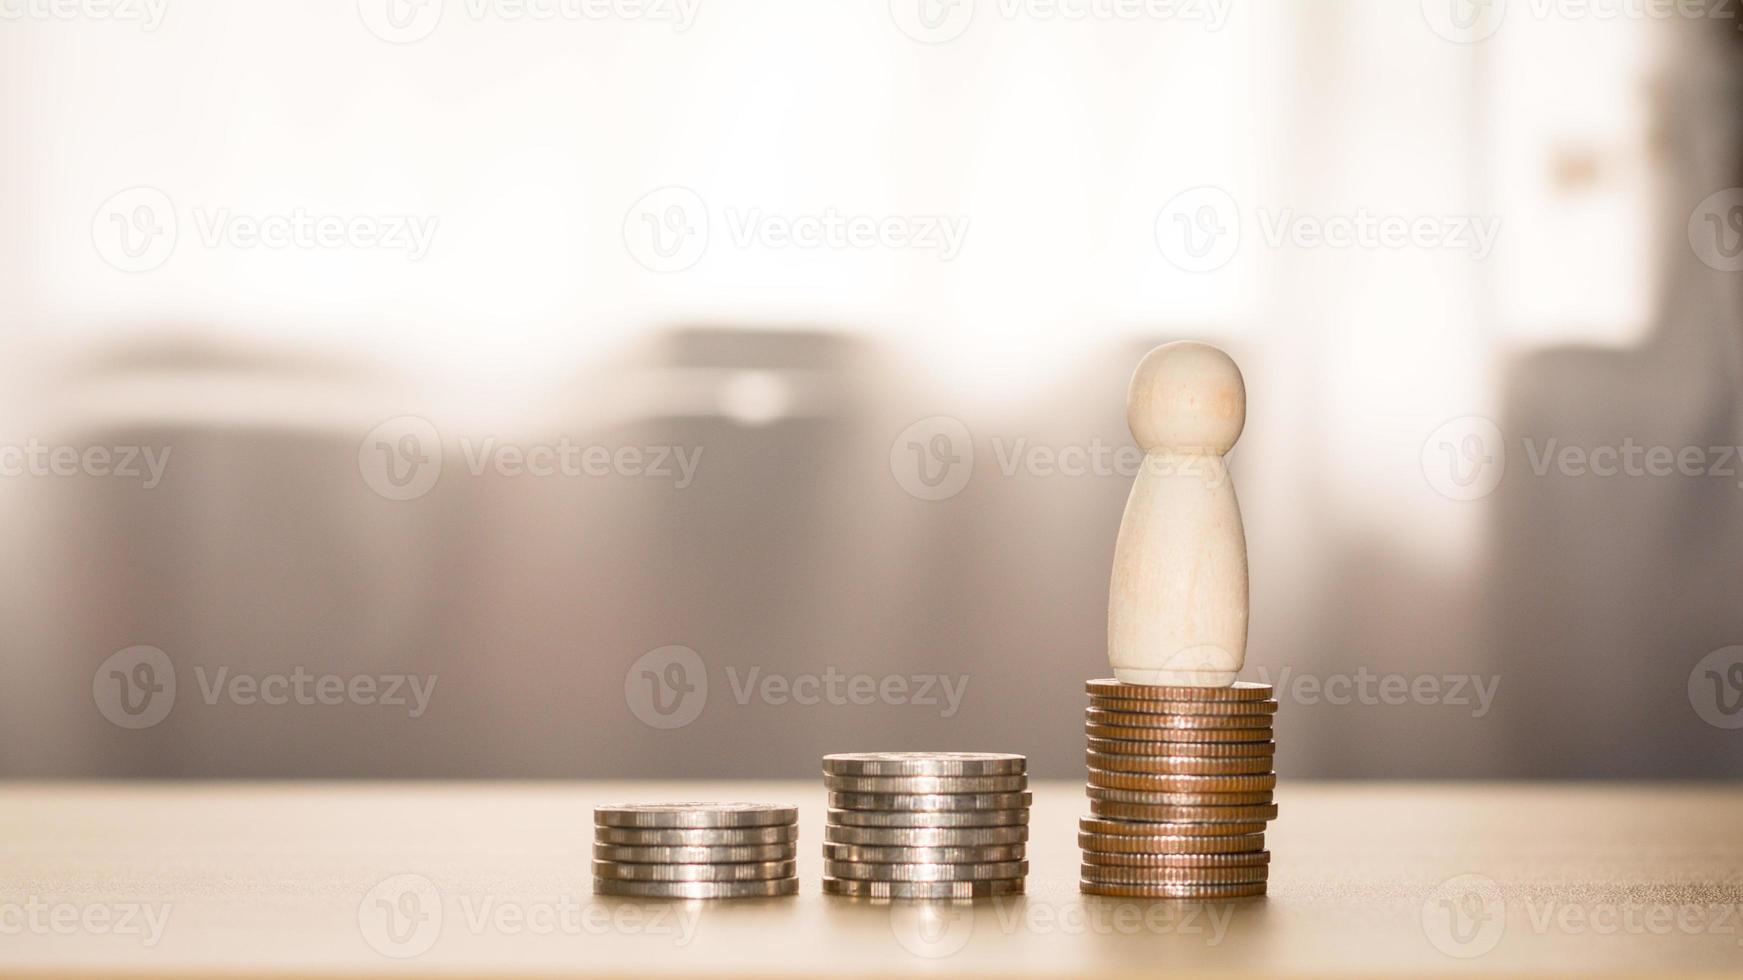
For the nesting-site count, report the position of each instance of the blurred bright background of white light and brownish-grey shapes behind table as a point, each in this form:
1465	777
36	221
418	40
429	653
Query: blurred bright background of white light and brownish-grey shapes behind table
693	388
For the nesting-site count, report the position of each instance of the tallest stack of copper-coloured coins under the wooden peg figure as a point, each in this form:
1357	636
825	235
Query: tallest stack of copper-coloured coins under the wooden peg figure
1179	791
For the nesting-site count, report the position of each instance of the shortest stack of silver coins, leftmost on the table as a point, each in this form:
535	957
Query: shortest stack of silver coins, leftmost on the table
695	850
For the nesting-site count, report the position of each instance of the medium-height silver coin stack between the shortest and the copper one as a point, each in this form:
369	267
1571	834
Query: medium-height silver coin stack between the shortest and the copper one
926	824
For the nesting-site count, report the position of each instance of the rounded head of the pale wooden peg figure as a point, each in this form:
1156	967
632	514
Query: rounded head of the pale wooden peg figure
1186	398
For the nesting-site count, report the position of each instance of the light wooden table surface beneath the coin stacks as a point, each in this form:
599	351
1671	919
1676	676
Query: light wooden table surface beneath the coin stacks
182	880
